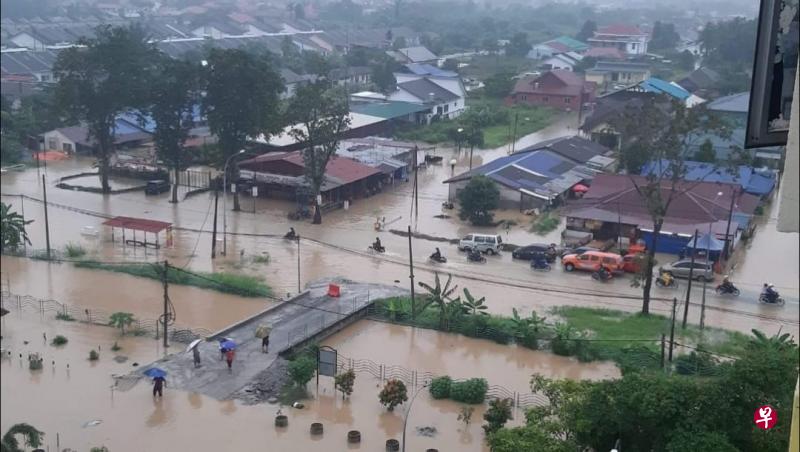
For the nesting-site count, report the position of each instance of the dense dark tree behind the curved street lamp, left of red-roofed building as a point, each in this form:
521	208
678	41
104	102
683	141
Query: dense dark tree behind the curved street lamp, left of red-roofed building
241	101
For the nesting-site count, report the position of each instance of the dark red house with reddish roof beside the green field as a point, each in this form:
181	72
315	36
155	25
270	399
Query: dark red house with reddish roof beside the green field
560	89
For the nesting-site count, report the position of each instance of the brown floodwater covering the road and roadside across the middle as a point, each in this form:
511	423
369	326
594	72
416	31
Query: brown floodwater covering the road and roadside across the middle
339	248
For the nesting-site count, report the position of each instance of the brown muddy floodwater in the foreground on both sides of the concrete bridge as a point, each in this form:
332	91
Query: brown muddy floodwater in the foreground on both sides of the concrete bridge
62	401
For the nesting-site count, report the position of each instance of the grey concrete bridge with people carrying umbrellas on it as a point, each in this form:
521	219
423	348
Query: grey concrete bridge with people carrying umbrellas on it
309	317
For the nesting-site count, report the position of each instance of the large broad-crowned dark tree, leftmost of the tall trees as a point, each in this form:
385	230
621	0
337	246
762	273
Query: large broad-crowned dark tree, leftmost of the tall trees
109	75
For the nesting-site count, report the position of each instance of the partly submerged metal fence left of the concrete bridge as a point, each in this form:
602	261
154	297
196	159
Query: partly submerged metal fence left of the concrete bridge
64	311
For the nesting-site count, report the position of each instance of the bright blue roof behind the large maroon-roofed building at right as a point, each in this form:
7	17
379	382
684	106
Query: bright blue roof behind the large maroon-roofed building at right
750	180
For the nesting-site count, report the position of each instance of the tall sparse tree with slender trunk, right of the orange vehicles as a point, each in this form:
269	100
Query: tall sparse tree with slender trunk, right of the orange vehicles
657	132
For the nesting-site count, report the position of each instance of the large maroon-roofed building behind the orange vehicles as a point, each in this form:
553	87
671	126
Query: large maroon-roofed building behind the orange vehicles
613	208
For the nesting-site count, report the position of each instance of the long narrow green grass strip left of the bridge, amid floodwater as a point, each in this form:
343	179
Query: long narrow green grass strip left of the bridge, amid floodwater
246	286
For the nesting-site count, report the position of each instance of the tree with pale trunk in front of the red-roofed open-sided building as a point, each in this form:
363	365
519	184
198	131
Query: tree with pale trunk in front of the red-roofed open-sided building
321	114
